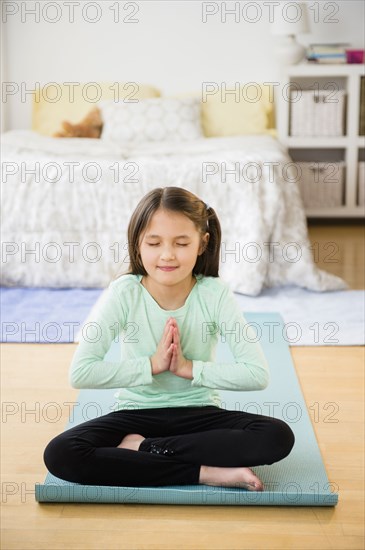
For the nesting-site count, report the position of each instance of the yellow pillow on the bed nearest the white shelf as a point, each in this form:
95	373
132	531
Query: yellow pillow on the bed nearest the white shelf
252	113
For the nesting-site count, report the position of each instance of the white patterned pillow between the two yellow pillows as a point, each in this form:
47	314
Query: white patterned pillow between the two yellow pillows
156	119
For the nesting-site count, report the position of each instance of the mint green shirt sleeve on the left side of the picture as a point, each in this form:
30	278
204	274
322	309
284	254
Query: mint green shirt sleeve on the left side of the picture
88	368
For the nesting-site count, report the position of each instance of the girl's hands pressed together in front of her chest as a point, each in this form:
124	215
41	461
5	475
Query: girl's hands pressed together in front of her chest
168	355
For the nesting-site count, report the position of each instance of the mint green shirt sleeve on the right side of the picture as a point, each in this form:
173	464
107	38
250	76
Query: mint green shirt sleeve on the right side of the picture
250	371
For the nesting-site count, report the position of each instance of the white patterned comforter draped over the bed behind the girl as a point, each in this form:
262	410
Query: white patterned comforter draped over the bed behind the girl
66	204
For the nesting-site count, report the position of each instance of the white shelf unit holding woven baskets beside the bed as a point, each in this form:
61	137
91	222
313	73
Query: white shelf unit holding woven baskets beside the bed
349	148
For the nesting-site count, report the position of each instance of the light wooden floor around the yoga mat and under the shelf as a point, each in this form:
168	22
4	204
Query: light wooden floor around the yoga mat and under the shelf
36	399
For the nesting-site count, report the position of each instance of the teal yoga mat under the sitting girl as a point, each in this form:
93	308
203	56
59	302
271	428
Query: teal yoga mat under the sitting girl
300	479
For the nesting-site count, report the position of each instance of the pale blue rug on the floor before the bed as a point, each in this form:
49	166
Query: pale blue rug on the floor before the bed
48	315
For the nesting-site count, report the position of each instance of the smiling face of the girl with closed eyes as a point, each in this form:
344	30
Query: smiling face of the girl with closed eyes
170	240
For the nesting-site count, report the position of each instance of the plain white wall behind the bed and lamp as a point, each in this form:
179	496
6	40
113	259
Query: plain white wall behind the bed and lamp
169	47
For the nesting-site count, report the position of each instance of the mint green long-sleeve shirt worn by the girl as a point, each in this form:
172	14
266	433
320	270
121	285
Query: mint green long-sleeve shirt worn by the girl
128	313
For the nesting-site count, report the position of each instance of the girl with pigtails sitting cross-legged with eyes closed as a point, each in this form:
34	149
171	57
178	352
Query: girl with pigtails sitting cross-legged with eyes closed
168	426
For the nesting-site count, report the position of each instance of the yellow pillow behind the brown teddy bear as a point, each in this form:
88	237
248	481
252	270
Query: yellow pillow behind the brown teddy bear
57	102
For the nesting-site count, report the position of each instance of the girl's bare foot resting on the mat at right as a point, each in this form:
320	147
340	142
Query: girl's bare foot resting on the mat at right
230	477
